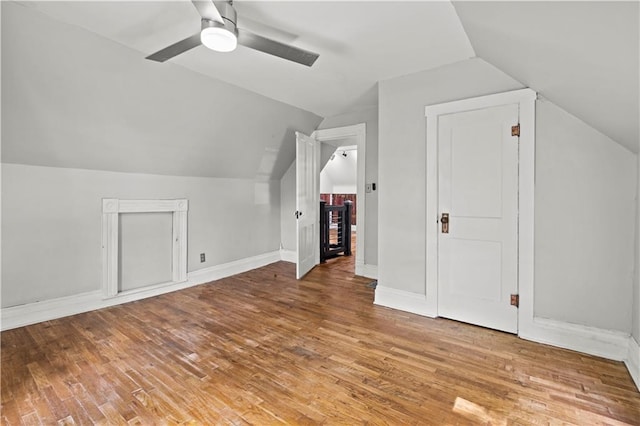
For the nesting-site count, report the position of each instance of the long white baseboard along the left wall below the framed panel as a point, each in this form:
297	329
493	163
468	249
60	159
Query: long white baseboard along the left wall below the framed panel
31	313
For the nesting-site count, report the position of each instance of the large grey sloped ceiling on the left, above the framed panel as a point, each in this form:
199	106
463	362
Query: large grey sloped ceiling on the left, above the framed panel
74	99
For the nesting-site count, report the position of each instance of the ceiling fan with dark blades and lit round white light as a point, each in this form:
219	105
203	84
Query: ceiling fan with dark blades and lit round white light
220	33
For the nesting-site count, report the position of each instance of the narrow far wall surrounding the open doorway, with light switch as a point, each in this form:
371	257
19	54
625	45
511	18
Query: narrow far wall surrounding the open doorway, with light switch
288	184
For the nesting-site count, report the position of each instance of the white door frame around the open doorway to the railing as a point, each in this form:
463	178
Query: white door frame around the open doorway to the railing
359	133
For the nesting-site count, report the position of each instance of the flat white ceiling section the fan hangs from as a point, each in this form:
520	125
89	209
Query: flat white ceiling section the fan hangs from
359	43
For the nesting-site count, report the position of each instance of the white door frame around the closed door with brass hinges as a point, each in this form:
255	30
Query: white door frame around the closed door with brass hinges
525	98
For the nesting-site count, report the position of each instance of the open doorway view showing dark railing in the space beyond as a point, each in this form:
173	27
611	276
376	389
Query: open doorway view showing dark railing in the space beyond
339	204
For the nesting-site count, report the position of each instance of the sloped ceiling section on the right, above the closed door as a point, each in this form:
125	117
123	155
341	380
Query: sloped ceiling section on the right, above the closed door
582	56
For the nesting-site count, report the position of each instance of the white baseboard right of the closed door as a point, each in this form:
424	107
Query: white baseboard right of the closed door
590	340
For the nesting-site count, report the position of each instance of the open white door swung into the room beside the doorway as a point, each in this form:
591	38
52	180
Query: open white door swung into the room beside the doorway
307	203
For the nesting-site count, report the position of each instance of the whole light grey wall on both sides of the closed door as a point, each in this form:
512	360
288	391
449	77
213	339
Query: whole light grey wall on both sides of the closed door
564	291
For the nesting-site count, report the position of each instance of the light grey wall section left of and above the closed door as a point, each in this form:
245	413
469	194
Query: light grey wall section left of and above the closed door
402	191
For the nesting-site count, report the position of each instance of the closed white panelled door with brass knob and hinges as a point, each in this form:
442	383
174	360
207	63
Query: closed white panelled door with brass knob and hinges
478	189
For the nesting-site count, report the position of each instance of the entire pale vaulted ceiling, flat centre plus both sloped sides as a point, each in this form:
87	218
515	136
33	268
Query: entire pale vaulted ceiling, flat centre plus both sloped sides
77	91
